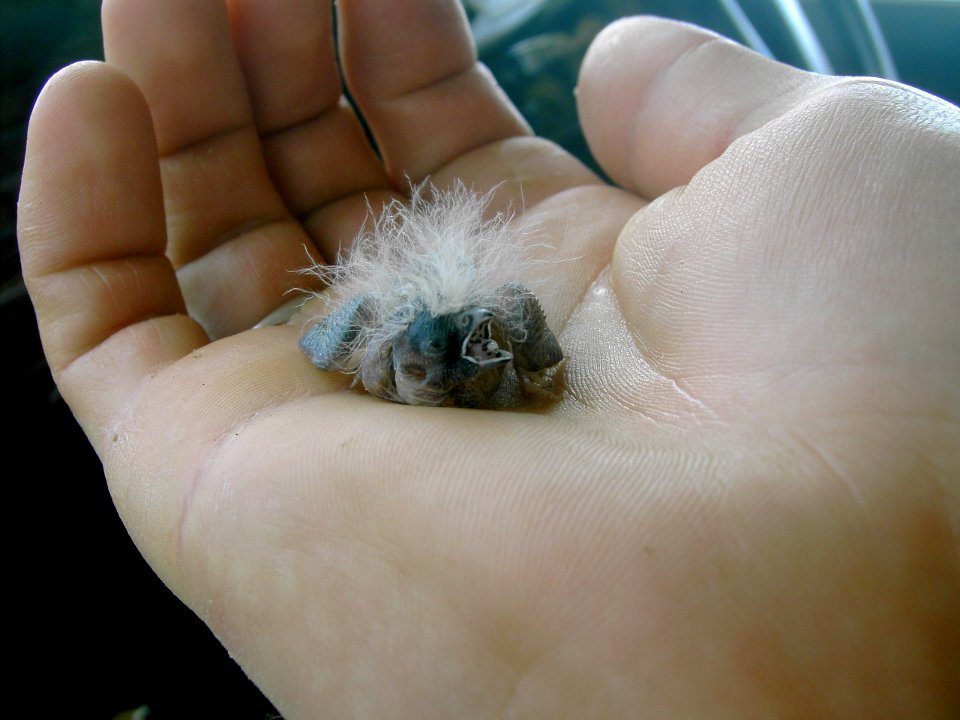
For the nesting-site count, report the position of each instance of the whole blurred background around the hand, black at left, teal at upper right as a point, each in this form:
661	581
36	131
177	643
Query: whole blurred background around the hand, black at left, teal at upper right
80	586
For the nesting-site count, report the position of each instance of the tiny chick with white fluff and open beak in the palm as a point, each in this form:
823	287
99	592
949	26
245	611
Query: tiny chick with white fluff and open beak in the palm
429	313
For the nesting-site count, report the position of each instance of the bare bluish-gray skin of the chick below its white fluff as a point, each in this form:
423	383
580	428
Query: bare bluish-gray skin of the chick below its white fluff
457	359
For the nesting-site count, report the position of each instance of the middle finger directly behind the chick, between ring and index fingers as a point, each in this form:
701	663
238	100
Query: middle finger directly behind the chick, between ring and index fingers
315	148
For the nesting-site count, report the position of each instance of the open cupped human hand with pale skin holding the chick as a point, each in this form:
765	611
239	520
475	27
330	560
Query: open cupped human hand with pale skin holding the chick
745	504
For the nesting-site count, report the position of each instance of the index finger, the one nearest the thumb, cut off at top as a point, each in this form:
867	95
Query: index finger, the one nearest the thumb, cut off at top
412	68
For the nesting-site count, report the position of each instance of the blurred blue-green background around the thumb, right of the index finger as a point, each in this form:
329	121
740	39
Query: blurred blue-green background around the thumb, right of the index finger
535	47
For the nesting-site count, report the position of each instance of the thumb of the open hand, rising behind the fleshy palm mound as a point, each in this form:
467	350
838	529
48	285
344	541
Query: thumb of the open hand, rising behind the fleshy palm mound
659	99
